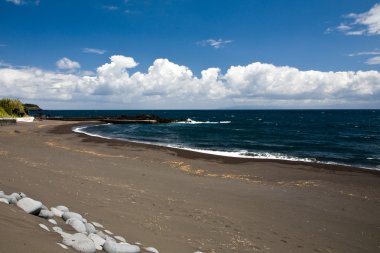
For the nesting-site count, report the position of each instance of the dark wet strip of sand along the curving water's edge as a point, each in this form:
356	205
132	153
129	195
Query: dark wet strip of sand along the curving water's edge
193	154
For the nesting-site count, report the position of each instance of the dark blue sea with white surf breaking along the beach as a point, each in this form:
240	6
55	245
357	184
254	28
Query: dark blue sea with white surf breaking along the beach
347	137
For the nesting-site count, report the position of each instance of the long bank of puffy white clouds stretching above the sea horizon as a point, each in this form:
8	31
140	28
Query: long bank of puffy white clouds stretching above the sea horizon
168	85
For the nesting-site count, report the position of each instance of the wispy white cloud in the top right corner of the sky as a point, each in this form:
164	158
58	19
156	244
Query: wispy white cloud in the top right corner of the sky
367	23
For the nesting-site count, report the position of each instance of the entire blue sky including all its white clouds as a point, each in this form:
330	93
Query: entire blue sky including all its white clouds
183	54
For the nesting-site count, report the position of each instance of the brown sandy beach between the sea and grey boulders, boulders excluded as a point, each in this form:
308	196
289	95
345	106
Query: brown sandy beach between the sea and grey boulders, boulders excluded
182	201
